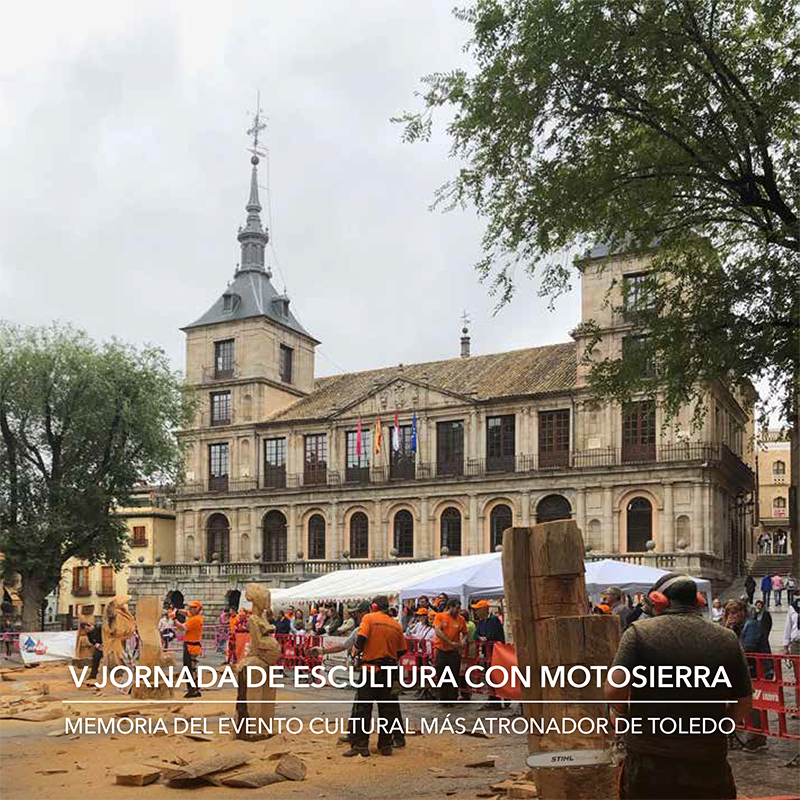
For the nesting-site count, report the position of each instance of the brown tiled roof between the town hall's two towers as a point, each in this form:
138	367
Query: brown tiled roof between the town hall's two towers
535	370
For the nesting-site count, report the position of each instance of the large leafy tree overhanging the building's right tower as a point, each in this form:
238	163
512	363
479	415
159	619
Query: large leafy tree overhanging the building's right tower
632	123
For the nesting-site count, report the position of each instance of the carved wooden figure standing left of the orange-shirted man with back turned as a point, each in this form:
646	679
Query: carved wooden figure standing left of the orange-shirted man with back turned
264	652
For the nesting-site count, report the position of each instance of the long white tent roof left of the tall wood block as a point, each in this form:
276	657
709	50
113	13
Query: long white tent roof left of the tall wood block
357	584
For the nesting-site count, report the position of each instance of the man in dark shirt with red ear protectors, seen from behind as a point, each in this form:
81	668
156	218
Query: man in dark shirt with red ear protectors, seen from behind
668	754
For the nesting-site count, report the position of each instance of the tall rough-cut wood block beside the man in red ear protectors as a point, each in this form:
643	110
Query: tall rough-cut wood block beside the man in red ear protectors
547	601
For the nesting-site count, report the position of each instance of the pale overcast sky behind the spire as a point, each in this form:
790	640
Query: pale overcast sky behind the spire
125	175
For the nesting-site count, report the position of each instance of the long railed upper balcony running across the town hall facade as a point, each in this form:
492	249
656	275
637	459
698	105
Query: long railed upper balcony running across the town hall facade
704	454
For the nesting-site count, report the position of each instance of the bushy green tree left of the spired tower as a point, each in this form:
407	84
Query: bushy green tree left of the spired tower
80	425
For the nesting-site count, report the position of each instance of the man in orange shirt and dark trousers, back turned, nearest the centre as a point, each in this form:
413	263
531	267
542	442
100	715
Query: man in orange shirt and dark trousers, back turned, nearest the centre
380	642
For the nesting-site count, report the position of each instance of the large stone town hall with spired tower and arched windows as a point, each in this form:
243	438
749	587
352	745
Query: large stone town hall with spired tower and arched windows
284	477
